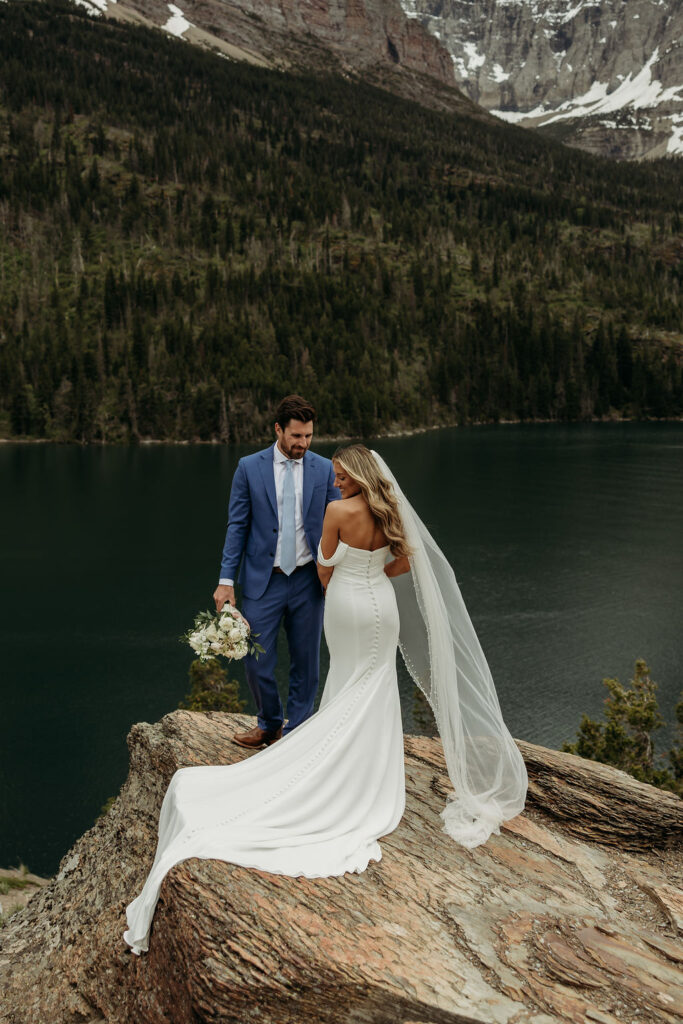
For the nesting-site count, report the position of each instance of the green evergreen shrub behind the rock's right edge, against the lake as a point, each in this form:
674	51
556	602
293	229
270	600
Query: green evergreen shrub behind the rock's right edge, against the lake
626	740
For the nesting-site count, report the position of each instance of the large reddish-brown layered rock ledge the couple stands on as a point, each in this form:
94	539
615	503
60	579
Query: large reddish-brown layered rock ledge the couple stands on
573	913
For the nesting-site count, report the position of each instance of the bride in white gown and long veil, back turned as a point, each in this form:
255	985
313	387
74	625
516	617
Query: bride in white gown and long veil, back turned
317	802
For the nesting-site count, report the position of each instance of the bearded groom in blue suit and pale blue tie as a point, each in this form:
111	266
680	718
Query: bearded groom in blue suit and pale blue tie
278	502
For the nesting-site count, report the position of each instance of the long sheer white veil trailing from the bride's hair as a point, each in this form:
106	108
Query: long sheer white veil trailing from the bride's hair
444	657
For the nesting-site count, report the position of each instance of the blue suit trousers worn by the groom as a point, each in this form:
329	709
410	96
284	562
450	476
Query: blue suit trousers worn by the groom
297	601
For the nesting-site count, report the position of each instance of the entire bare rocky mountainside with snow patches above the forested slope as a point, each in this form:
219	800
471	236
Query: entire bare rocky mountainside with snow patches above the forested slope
604	75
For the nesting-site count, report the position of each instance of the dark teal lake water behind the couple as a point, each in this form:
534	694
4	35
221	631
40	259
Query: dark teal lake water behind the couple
568	544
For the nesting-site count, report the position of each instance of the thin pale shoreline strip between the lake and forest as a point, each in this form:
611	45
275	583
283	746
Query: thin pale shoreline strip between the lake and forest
327	439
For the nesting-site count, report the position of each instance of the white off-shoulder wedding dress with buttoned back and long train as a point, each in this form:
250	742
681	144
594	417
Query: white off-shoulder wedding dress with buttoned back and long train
316	802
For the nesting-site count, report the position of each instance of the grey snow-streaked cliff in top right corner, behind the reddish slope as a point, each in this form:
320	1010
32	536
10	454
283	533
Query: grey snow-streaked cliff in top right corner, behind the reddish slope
606	75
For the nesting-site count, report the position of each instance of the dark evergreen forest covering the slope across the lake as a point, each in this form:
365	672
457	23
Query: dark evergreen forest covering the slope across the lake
185	239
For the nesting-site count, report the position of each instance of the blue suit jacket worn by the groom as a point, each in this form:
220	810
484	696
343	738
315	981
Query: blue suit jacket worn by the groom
252	526
